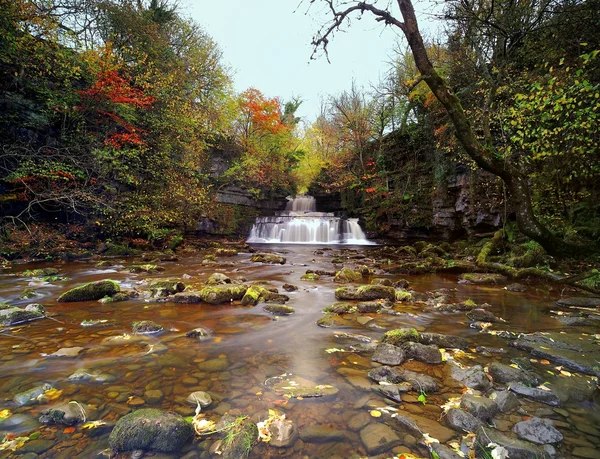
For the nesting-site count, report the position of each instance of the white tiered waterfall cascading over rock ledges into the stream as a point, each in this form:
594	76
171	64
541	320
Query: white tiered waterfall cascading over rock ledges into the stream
300	223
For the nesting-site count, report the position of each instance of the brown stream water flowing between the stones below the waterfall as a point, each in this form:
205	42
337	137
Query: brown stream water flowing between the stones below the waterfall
247	347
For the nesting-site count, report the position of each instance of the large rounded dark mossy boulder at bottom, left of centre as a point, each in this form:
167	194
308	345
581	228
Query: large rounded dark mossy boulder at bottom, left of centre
150	430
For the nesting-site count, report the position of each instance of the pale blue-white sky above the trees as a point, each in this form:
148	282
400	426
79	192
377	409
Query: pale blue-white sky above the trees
266	44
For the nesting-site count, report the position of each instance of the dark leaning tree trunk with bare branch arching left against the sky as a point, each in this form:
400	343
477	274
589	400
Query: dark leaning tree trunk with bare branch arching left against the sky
481	151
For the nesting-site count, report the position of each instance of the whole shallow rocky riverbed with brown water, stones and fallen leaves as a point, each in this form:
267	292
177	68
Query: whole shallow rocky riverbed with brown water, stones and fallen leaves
304	351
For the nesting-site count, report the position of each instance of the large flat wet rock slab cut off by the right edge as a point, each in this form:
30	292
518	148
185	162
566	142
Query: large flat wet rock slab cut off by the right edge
572	350
